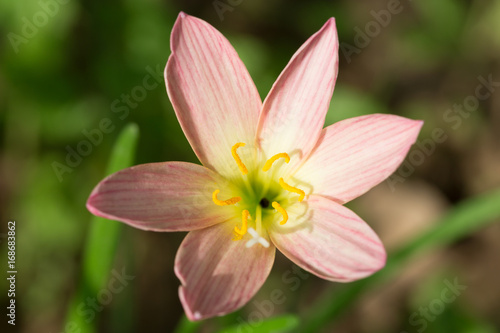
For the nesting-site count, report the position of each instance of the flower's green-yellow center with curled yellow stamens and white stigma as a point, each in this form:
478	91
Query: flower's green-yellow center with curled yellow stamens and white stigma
257	196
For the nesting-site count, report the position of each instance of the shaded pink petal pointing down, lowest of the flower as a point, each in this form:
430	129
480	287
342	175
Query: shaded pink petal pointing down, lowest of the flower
219	275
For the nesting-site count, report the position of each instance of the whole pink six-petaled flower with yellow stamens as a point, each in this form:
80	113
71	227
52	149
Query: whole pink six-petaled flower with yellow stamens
272	176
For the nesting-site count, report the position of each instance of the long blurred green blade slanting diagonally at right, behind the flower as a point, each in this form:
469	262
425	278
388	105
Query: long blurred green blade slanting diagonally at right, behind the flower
466	218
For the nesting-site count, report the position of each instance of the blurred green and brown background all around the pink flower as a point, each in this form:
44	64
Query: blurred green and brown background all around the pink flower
69	67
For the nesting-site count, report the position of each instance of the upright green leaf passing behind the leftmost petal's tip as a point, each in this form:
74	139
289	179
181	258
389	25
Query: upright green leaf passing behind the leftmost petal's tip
102	240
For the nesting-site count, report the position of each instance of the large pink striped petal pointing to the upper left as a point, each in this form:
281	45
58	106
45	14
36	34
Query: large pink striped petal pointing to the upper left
213	95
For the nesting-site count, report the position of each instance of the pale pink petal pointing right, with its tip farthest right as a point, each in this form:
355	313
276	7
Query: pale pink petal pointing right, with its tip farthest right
354	155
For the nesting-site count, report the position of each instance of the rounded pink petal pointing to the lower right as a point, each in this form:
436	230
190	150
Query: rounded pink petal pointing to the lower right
330	241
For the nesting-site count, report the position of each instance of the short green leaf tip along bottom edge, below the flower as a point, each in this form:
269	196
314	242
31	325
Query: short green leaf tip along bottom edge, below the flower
281	324
